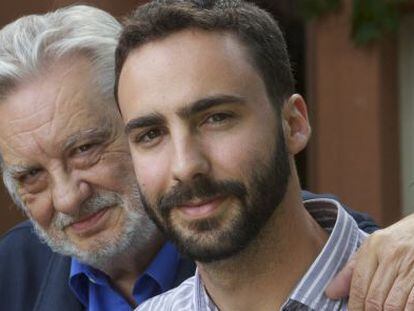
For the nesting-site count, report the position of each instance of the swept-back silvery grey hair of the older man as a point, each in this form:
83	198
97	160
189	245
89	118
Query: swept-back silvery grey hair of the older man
32	42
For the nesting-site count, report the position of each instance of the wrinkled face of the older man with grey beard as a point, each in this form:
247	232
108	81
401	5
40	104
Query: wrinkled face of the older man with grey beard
63	145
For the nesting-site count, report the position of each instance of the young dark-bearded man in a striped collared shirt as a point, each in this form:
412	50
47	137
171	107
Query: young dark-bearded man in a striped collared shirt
207	95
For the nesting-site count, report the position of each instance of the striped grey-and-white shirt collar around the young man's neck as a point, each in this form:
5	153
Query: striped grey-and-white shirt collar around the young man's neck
344	239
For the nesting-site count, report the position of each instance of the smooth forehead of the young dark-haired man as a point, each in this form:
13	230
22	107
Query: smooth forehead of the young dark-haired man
182	68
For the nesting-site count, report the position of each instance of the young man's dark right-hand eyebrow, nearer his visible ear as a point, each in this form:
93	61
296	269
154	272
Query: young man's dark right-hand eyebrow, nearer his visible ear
207	103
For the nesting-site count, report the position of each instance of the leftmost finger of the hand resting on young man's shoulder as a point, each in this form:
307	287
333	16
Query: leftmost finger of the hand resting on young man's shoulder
341	283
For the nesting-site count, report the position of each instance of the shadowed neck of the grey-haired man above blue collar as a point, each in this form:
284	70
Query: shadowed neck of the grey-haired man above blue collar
124	270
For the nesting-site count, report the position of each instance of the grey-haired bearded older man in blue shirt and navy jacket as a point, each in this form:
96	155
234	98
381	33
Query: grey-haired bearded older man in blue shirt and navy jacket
66	163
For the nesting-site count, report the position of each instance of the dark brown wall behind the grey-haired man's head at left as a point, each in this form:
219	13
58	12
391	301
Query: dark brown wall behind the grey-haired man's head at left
9	11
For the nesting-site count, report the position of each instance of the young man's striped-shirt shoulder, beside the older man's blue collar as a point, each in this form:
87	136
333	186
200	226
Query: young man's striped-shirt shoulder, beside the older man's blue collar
179	298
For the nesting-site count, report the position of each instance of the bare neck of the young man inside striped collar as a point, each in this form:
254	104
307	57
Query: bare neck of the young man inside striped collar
272	264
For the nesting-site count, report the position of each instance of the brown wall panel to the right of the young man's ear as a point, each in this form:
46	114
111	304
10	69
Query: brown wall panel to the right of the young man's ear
353	95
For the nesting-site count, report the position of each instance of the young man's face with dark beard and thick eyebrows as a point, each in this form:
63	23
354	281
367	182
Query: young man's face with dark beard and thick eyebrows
206	143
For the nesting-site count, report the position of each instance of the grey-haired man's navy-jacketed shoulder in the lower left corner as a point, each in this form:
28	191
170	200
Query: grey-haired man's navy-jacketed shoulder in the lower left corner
25	268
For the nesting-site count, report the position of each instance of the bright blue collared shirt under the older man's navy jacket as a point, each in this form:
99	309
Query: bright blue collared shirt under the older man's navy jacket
94	291
